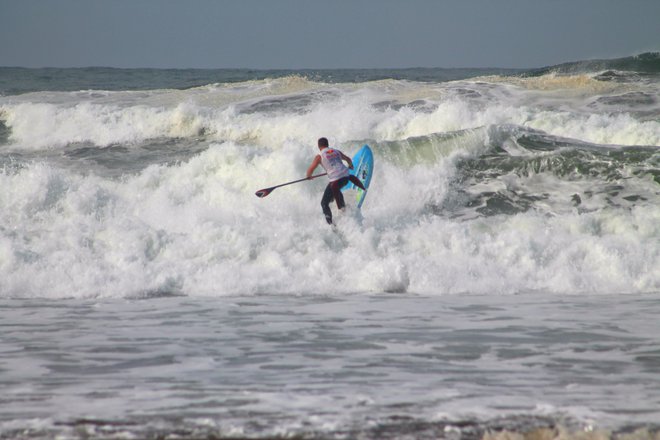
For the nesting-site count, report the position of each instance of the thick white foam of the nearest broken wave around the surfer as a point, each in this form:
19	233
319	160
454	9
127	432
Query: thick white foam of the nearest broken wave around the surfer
196	228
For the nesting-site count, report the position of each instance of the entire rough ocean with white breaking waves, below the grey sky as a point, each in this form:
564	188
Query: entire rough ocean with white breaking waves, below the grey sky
501	282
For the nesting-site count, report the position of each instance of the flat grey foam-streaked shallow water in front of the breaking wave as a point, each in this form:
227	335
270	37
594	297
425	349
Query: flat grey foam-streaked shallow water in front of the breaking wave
359	366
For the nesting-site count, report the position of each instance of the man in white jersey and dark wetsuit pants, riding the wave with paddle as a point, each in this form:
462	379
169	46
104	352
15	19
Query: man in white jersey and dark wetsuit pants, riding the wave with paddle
333	162
